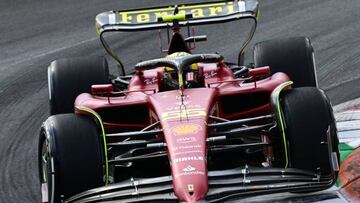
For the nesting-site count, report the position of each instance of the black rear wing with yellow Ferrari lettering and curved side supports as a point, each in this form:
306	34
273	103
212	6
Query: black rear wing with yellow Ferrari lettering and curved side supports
176	15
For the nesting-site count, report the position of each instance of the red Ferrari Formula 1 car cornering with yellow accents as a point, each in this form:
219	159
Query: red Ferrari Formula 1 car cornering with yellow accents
187	127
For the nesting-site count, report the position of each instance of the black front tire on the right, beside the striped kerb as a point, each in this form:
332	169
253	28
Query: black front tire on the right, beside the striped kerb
307	116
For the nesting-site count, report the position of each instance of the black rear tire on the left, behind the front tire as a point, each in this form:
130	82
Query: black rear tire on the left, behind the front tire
67	78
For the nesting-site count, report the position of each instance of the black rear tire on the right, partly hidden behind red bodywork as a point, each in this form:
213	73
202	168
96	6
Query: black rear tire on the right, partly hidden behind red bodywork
293	56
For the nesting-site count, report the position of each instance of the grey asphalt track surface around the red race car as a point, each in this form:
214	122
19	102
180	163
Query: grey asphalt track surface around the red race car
35	32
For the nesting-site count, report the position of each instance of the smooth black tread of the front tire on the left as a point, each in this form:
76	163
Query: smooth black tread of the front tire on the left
76	150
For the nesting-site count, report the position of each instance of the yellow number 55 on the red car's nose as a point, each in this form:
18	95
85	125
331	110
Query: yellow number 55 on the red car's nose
183	114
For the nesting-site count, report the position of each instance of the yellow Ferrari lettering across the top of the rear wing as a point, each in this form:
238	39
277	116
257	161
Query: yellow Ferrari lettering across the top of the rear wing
198	11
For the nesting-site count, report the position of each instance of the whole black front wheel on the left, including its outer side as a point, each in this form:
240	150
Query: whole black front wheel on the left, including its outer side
70	156
